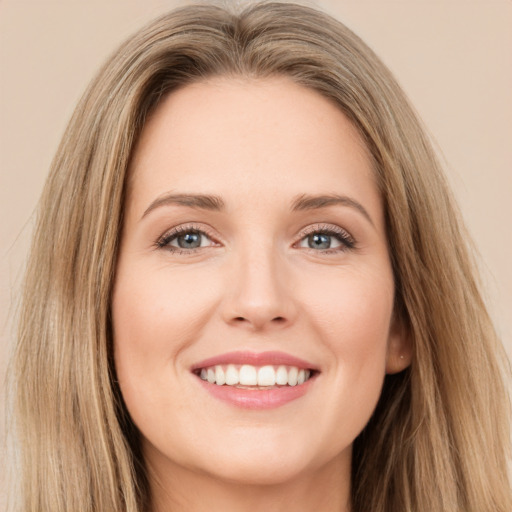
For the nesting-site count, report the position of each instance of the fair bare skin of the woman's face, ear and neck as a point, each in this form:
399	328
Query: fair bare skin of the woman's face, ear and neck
255	284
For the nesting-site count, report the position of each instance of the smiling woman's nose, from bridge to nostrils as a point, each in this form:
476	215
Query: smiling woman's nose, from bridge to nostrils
259	293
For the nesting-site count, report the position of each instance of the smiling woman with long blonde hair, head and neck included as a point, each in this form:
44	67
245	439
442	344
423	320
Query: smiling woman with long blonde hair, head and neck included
249	288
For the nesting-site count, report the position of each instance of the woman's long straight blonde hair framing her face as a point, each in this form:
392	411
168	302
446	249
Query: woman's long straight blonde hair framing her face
439	438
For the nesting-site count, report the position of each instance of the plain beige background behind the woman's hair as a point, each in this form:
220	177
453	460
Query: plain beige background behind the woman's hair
453	58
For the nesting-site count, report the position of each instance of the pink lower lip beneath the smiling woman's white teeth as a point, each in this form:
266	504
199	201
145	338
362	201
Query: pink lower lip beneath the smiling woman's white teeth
257	398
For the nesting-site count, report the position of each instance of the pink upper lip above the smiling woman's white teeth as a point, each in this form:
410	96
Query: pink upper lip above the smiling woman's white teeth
255	359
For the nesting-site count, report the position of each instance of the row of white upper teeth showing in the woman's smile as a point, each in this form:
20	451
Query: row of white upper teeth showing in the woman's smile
248	375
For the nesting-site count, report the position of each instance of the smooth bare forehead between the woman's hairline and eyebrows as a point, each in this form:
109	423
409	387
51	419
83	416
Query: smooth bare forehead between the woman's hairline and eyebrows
244	137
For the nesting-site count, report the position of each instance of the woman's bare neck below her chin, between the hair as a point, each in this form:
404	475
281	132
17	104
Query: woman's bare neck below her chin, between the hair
180	489
